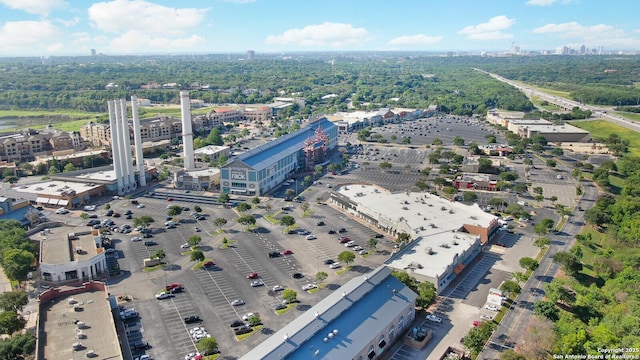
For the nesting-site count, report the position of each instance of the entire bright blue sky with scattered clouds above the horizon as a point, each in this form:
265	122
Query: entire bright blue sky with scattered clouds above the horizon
73	27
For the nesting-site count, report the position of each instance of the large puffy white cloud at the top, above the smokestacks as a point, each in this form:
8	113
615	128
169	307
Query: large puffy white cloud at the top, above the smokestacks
120	16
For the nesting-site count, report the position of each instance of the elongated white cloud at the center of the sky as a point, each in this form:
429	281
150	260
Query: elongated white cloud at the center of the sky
327	34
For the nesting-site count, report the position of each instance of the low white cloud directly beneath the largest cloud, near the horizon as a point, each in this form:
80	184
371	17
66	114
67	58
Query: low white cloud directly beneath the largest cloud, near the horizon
138	42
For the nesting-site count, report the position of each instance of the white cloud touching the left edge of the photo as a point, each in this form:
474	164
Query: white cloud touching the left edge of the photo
27	36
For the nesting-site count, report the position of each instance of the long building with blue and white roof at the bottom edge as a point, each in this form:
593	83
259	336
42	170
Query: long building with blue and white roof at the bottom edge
358	321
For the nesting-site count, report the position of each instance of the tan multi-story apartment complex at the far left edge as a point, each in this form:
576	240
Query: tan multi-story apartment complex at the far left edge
26	145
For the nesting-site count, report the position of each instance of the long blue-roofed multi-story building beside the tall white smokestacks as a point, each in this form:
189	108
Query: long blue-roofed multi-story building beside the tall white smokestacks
262	169
